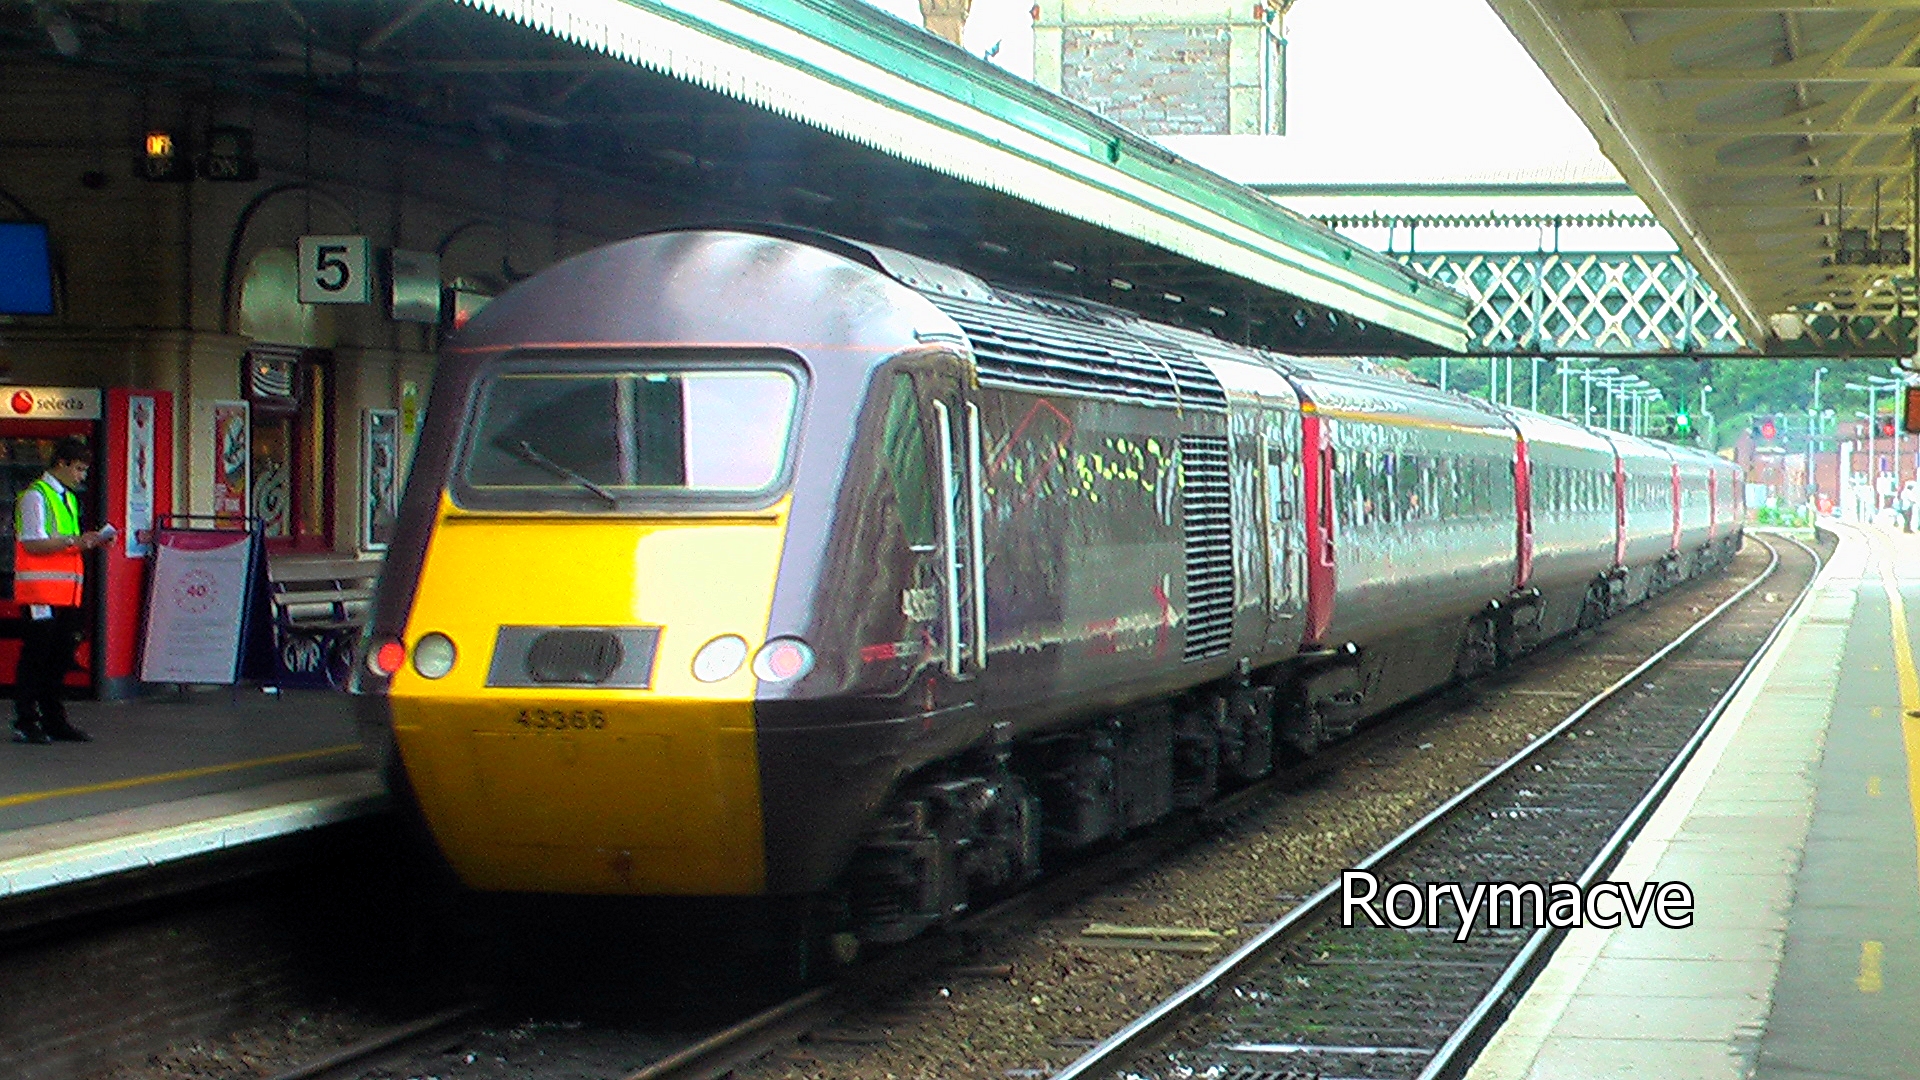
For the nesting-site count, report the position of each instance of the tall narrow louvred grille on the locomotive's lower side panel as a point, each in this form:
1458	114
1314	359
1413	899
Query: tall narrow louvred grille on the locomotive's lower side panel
1207	514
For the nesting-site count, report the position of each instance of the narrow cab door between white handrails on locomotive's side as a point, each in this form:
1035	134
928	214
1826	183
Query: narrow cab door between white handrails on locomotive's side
961	499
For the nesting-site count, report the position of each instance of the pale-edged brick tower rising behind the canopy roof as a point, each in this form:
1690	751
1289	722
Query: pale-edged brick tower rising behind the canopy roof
1168	66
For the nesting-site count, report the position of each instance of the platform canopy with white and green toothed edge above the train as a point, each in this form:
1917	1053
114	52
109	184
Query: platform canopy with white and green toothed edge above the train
805	112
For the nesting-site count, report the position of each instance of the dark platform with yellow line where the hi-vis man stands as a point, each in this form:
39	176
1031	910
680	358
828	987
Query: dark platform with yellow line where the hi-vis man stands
176	777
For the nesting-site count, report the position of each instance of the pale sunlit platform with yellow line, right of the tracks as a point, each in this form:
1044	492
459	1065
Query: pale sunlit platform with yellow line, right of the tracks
1796	827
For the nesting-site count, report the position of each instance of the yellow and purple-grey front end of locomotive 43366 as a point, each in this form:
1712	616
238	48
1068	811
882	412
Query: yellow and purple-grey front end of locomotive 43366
577	626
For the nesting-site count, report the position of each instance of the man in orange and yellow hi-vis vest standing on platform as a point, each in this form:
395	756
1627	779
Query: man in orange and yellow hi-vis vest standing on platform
49	574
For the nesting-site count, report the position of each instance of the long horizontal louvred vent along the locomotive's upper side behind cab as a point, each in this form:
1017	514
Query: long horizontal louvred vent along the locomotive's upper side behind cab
1040	351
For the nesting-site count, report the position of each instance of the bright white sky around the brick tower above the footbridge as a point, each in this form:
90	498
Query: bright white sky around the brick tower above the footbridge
1393	91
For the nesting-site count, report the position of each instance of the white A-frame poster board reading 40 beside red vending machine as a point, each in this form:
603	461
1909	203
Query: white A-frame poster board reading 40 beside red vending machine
197	606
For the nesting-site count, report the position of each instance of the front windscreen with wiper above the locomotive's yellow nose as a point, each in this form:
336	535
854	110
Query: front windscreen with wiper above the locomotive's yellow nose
633	433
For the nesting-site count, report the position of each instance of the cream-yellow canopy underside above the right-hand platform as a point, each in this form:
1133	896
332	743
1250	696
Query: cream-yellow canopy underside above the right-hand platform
1775	139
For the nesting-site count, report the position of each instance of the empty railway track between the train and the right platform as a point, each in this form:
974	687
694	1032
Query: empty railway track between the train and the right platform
1312	996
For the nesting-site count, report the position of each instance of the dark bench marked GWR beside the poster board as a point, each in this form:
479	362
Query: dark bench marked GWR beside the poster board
320	606
